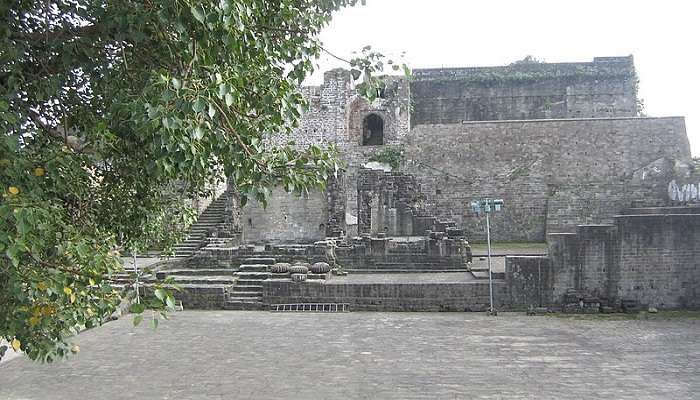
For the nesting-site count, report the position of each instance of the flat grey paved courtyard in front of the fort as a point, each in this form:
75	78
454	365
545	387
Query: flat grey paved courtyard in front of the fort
258	355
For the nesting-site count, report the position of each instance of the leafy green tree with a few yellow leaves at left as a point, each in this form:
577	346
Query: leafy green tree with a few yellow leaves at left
112	113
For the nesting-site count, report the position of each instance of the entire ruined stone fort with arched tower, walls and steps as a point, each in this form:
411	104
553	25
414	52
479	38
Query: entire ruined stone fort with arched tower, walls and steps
613	193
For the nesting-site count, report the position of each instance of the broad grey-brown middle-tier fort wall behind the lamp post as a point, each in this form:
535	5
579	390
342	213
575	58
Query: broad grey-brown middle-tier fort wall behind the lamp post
552	174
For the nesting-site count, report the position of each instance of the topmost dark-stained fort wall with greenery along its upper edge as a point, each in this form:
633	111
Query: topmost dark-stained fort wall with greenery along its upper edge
605	87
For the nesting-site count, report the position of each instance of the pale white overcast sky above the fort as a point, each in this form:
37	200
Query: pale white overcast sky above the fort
662	36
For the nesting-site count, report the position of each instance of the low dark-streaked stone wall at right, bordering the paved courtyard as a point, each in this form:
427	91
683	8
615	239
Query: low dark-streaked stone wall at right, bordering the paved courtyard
651	256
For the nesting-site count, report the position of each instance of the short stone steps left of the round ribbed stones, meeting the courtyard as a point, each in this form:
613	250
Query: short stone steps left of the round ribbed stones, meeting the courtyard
247	293
